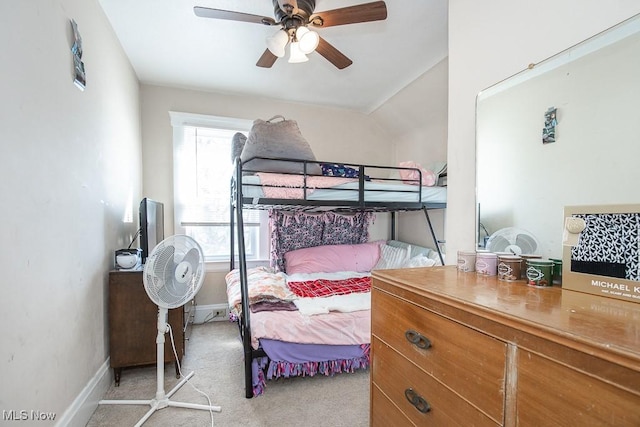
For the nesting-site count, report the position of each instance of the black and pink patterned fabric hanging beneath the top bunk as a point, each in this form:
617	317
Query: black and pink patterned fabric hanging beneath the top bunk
297	230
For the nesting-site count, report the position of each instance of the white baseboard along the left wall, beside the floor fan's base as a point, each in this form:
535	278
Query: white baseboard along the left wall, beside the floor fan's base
80	411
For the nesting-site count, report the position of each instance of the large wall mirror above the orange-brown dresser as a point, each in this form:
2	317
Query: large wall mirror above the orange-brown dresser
591	149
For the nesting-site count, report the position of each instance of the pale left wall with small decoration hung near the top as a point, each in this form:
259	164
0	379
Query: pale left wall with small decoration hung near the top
70	162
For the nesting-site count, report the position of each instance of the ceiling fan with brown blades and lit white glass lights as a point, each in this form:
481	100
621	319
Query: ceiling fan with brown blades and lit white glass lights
294	18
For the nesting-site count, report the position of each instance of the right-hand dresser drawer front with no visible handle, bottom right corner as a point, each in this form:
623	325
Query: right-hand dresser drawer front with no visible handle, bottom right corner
552	394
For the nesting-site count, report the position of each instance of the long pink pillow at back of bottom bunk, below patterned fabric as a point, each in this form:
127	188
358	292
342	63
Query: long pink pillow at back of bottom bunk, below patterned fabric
332	258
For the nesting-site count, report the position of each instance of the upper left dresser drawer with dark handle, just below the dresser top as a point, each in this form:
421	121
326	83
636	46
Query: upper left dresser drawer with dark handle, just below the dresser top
469	362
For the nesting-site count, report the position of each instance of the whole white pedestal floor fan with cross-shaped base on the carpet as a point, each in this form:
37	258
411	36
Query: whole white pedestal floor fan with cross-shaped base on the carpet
173	274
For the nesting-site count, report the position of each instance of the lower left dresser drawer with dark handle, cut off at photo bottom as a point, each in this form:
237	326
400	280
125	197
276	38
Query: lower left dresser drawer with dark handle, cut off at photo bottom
394	375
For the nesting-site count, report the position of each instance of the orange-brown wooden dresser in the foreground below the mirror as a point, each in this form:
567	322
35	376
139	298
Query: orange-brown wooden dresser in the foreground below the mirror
452	348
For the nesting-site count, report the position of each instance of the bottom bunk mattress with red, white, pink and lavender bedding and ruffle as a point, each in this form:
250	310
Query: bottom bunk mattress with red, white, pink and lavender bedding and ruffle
305	336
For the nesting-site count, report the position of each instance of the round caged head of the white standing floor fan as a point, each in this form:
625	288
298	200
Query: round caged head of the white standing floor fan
172	256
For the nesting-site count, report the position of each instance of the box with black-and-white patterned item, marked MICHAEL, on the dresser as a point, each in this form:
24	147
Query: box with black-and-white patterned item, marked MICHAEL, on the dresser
601	251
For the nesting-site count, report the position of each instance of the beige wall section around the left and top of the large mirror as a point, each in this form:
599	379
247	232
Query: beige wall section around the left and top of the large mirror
488	42
